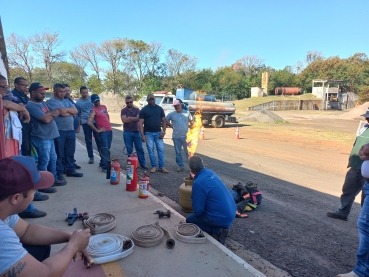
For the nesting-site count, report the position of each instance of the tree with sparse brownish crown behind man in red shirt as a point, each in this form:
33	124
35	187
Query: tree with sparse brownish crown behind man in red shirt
114	52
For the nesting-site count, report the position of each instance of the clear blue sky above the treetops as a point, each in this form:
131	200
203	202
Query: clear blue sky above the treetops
216	32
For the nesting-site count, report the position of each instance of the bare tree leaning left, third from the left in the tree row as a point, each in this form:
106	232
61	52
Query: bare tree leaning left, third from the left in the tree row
89	53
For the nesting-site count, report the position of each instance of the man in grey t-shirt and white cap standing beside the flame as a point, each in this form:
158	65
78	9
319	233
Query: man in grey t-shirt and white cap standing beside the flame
178	120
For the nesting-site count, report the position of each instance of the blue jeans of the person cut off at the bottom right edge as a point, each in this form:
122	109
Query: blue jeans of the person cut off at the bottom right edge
362	256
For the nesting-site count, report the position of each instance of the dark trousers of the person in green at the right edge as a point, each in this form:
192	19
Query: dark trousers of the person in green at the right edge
353	185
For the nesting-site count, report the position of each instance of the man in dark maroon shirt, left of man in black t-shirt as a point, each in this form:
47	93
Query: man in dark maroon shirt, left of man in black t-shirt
131	135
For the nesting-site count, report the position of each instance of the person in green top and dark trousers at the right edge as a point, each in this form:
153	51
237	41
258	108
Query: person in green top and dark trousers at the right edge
354	181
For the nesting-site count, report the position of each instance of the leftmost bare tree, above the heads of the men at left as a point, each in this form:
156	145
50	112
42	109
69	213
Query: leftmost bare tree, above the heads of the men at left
20	54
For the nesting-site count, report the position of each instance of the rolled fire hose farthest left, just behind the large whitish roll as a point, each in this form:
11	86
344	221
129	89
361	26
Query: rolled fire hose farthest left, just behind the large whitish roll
100	223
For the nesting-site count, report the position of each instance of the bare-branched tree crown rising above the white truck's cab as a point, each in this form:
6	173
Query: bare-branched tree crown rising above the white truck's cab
178	62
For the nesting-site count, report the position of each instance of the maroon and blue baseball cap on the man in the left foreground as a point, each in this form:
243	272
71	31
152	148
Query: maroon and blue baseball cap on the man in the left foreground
19	174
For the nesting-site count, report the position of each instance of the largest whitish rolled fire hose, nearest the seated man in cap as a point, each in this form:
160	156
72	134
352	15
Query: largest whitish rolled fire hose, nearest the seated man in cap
105	248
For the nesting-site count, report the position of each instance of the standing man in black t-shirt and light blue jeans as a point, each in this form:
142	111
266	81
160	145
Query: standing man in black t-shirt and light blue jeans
151	120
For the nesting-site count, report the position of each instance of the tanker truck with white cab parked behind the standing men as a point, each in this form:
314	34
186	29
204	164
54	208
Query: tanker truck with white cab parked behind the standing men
212	112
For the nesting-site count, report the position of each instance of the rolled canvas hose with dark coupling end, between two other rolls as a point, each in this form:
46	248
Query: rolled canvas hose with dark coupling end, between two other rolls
151	235
